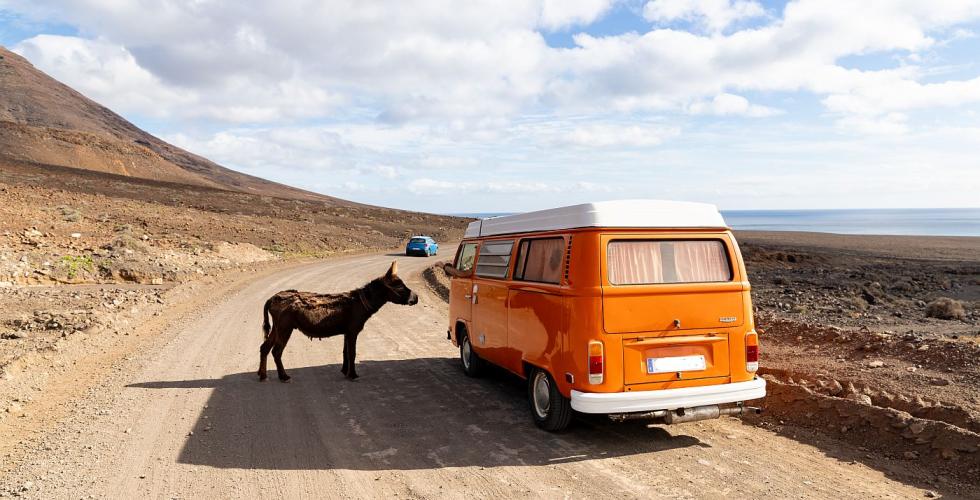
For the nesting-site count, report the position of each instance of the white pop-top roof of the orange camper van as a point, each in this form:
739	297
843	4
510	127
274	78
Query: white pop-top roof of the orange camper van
620	213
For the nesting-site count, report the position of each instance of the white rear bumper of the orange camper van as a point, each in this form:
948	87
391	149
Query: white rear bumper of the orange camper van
667	399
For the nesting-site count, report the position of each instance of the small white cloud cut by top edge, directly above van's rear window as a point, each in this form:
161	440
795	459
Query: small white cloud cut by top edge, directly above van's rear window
716	15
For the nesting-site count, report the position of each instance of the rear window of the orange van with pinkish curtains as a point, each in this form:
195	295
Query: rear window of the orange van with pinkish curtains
641	262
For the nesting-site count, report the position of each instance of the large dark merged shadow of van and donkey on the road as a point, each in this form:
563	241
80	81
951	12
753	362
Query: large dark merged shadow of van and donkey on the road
402	414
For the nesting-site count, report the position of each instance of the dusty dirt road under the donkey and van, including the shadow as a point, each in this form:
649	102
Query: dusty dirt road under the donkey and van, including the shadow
185	417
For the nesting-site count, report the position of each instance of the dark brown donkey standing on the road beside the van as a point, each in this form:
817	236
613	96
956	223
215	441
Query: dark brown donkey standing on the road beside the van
326	315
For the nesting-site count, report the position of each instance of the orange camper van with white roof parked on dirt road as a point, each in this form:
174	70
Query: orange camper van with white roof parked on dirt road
632	309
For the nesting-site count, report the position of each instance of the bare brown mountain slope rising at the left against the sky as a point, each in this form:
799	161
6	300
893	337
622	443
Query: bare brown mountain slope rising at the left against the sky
44	121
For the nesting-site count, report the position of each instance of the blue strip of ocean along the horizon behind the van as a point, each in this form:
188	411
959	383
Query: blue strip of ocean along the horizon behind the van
897	221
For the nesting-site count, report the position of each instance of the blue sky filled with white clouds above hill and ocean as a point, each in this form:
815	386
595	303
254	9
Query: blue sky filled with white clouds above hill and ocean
504	106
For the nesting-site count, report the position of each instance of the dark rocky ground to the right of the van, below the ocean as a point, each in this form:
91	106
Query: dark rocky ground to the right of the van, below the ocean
872	341
